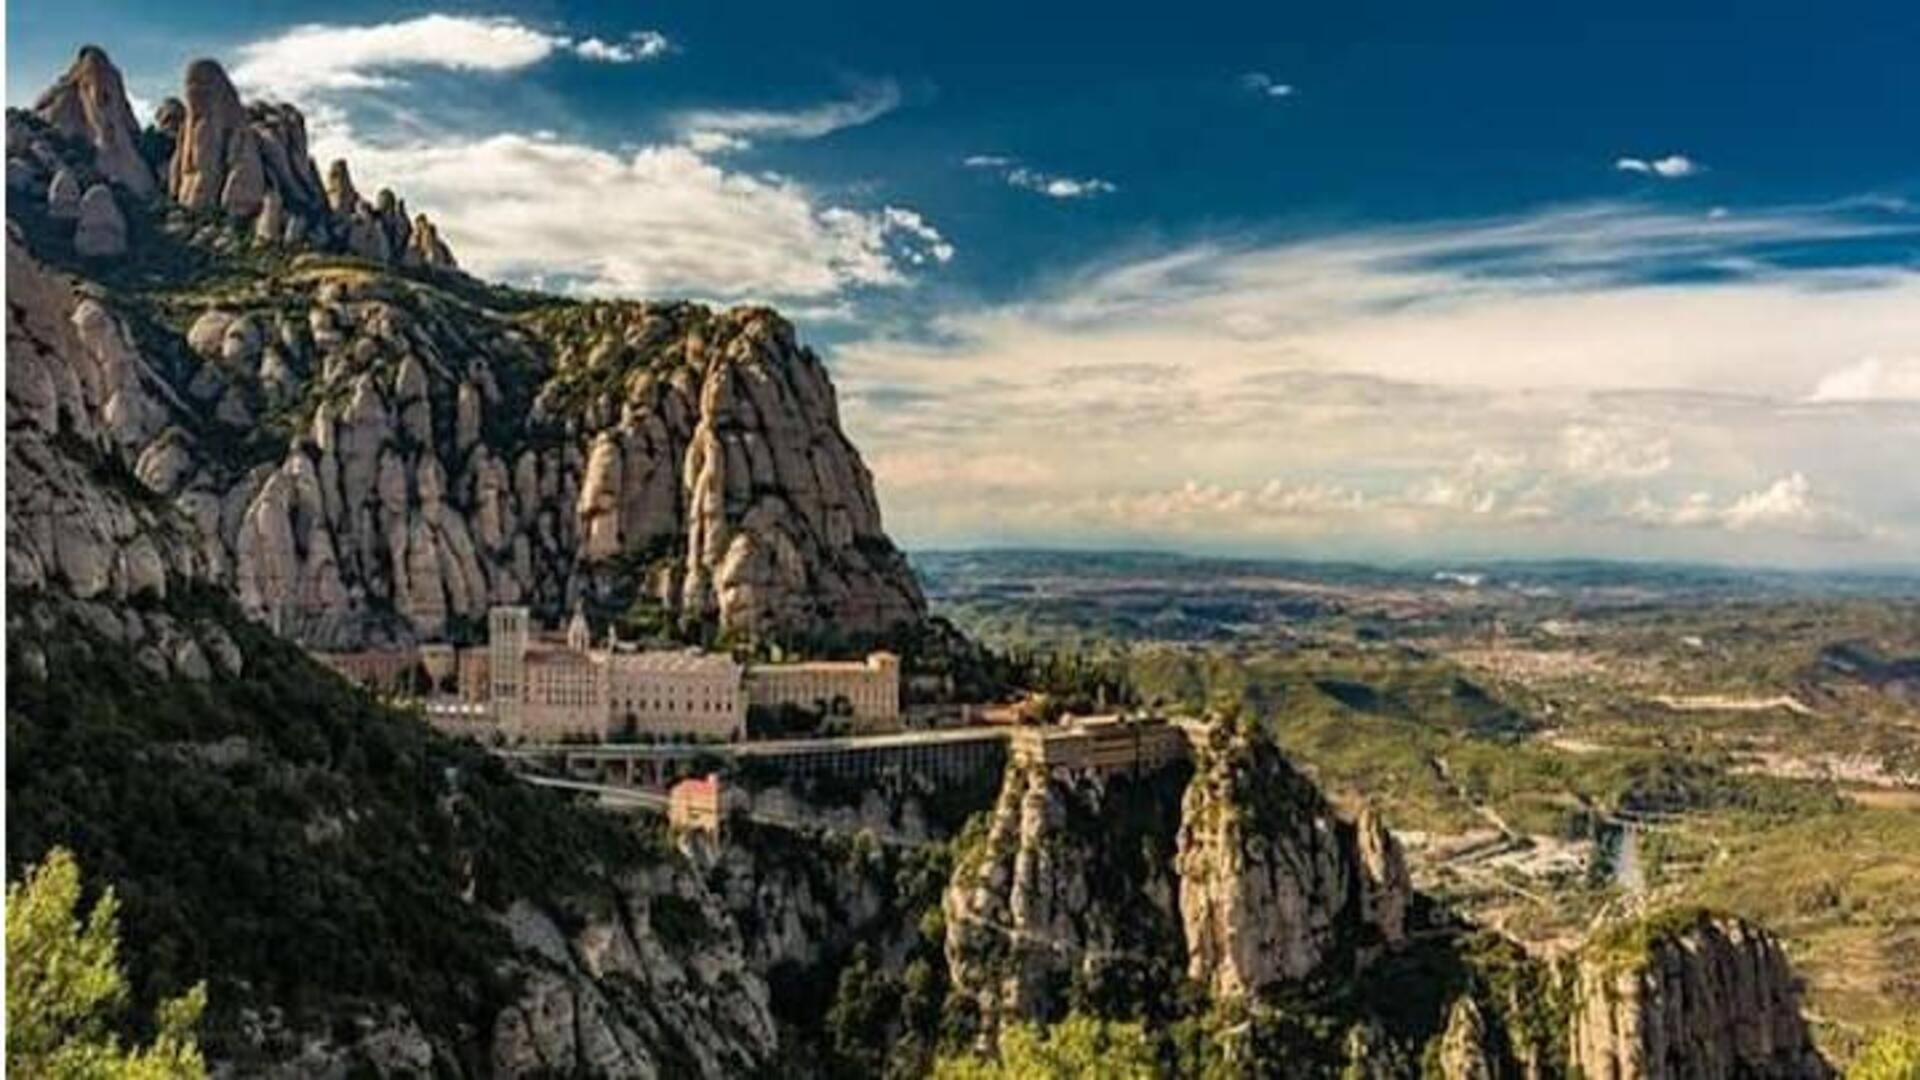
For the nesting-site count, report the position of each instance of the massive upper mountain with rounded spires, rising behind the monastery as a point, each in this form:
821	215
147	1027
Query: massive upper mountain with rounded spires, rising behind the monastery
372	447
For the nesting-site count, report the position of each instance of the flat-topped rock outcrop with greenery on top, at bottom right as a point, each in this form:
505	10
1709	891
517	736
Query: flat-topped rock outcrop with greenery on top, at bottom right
1689	994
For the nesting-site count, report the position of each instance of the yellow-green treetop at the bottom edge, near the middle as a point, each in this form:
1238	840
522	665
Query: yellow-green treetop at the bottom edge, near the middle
1078	1048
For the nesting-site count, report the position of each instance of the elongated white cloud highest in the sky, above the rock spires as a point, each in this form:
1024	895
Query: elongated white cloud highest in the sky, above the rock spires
325	57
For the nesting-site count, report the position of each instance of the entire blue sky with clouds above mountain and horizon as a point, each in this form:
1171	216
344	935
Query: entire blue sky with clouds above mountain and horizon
1395	282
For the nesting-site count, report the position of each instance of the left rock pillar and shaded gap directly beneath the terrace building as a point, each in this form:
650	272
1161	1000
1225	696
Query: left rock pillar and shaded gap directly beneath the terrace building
1068	898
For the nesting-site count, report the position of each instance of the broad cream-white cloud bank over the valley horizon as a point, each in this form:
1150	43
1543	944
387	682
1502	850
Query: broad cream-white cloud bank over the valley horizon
1508	385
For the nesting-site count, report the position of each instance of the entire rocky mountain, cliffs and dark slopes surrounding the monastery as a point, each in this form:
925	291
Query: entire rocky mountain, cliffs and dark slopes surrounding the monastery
274	405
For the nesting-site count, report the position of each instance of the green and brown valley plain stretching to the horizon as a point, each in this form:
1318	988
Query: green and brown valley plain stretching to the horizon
1552	743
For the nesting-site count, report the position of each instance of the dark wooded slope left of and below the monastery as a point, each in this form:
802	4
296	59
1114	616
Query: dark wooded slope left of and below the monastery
279	835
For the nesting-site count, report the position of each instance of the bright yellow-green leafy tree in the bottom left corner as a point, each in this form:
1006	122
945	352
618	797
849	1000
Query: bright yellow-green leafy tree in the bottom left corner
66	991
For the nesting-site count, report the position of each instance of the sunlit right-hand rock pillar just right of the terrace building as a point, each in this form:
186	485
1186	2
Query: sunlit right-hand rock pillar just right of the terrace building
1274	885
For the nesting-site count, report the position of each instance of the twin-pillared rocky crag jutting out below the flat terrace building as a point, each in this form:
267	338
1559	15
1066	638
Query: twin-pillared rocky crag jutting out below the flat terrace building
1232	875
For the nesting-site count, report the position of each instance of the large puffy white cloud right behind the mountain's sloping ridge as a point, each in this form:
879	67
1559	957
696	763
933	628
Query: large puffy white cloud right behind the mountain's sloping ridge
654	222
